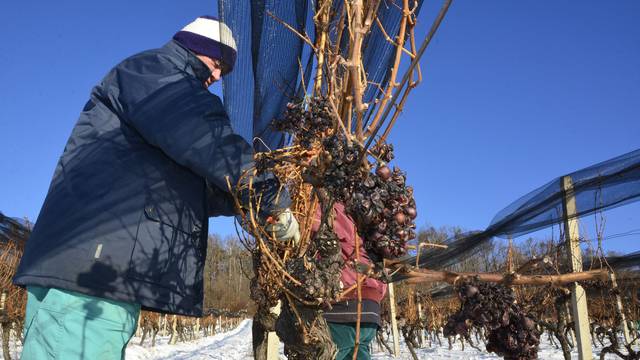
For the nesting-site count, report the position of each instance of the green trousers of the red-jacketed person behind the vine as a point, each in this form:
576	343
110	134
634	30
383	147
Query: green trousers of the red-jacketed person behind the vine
344	335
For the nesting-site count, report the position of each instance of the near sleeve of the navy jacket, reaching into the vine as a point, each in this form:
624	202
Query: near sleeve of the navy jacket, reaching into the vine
190	126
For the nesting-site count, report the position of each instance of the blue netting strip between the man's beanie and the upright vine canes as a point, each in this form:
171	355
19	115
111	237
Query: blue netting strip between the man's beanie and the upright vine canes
266	74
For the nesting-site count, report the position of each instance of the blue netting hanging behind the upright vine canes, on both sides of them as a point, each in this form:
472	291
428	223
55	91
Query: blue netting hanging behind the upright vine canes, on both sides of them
272	59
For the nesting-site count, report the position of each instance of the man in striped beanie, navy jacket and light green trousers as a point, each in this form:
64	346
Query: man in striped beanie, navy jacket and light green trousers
124	224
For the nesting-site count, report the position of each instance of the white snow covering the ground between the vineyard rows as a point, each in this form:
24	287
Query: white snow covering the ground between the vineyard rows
236	345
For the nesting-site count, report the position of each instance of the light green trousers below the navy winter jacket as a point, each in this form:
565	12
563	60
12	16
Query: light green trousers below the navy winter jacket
66	325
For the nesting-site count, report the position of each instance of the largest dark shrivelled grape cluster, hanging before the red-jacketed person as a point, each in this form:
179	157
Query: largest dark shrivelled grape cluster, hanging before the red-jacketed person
380	203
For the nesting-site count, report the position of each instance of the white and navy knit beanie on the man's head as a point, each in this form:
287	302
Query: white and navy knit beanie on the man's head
210	37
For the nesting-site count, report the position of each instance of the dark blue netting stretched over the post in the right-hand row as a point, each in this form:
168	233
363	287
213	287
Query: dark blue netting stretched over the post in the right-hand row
606	185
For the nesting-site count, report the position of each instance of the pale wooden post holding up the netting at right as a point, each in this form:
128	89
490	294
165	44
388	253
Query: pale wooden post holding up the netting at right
578	295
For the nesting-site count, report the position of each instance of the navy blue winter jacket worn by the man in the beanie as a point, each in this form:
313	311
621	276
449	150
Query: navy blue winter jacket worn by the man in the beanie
126	214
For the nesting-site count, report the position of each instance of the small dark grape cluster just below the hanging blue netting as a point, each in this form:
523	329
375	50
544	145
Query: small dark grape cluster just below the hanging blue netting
307	121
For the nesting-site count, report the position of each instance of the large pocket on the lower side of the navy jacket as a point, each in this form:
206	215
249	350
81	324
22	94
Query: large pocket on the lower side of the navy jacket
164	254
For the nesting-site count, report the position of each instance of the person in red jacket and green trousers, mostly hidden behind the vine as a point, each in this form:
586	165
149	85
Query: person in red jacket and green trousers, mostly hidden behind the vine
343	316
